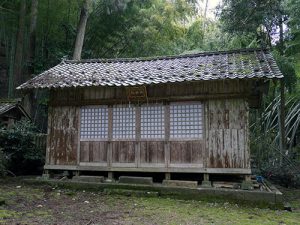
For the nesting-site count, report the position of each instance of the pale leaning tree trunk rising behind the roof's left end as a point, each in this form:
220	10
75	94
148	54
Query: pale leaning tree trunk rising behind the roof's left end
81	30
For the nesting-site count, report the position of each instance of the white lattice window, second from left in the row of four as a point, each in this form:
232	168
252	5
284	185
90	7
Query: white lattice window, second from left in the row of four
123	122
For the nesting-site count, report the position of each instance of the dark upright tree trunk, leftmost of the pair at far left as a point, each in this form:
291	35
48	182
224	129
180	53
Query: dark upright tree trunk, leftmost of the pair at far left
18	63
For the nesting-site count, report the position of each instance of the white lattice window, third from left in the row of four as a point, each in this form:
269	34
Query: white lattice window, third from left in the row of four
152	121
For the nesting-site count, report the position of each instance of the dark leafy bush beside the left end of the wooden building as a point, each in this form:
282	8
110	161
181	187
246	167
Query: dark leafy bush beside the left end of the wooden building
19	148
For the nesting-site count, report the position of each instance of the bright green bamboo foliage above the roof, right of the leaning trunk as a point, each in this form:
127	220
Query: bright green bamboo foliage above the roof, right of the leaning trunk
142	28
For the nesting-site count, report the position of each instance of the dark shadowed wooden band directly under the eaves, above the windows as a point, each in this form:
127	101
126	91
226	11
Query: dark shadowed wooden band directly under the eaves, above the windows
221	89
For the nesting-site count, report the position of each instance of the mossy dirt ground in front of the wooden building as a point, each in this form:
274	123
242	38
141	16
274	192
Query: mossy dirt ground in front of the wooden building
45	205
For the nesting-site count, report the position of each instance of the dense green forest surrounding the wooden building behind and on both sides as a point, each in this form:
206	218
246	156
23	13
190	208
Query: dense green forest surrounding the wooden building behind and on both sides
37	34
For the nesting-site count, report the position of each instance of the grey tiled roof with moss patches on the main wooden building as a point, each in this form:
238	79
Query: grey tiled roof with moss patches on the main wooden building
235	64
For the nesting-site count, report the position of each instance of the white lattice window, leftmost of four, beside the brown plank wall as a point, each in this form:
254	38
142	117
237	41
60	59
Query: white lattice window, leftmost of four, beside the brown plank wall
94	122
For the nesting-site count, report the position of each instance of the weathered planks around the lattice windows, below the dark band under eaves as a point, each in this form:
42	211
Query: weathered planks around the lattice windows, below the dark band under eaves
225	143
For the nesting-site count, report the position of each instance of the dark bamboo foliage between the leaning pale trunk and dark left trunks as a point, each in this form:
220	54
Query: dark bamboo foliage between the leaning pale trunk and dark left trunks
56	31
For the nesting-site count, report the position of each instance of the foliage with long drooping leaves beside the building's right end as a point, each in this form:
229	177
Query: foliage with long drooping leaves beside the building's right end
283	167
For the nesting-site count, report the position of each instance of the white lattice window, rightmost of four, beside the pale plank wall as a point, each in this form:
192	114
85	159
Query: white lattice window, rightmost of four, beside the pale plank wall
186	120
